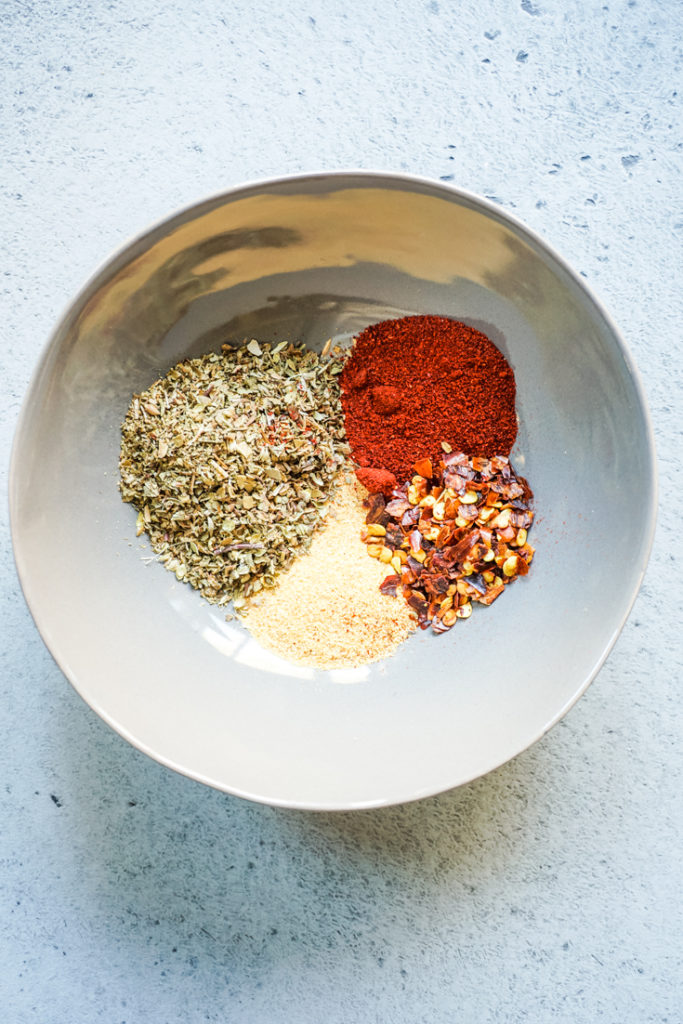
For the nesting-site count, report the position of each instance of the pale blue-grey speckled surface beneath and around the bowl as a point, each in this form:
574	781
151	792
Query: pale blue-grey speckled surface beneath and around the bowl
548	891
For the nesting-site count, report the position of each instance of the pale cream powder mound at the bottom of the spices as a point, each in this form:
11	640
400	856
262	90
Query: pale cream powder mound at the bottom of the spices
327	611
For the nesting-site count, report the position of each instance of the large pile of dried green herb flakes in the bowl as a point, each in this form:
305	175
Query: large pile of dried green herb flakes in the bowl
231	460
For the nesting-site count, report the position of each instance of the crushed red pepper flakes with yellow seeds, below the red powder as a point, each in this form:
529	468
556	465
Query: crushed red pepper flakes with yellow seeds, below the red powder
454	537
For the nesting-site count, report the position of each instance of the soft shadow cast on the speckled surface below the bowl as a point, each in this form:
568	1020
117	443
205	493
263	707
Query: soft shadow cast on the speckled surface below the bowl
197	874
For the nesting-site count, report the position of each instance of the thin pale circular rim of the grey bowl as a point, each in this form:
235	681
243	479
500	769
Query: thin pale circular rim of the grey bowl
358	178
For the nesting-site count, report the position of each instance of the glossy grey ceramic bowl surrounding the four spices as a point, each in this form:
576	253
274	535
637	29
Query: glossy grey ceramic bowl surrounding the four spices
310	259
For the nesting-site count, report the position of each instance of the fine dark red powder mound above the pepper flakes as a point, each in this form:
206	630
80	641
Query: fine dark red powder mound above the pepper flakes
414	383
